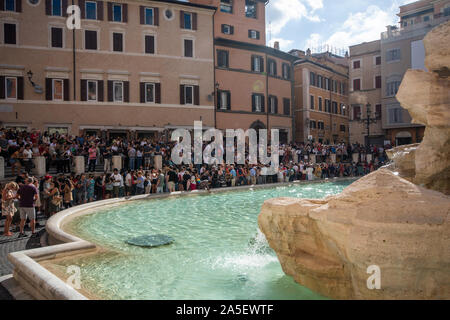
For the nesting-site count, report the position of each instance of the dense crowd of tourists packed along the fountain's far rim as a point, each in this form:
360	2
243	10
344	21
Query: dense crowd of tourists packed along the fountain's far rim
27	195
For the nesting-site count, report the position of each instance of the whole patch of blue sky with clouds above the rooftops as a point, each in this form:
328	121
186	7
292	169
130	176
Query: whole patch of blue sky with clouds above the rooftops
300	24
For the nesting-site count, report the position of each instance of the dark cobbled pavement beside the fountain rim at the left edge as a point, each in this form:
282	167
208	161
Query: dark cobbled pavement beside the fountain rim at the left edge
13	244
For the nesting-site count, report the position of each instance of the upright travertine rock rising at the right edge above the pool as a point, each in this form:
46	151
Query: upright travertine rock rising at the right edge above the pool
426	96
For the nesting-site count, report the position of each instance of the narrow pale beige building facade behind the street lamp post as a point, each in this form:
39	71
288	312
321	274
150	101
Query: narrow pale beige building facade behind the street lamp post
365	79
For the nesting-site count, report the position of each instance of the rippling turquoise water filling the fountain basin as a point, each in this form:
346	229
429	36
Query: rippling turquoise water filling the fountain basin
218	253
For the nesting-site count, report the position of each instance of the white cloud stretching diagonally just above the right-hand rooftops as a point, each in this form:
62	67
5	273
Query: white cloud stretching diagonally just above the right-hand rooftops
359	27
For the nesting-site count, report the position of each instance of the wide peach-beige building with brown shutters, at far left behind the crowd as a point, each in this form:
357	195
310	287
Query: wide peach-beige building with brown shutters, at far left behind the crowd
138	68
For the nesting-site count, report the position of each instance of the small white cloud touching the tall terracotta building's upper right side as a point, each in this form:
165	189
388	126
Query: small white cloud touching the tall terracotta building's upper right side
293	10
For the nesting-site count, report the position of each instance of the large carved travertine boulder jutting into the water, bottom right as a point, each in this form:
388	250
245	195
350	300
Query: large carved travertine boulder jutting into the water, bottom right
382	219
